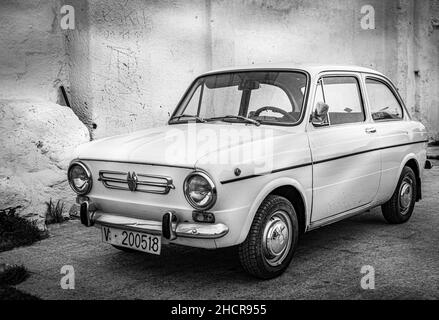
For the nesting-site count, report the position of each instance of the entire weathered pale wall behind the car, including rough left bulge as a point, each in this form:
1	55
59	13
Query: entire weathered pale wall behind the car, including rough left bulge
127	63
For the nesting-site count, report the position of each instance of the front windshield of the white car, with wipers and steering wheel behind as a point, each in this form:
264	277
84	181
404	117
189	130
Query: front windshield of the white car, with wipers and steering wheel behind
253	97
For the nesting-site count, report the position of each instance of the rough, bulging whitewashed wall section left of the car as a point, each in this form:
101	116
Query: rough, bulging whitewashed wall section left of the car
37	135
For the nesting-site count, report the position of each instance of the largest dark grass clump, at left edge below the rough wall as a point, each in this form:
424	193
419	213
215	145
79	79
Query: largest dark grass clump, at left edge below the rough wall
17	231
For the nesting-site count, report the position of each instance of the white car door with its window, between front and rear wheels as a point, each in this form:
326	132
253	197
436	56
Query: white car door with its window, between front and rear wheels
346	166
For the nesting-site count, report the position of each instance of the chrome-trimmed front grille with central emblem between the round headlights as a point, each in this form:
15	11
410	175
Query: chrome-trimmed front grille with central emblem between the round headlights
132	181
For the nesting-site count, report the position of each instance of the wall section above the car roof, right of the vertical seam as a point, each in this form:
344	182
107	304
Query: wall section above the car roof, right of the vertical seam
404	45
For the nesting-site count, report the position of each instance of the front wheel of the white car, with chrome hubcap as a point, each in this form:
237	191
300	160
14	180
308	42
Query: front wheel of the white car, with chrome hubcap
266	259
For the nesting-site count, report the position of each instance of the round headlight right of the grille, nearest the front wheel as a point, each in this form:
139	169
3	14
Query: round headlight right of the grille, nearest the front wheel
200	191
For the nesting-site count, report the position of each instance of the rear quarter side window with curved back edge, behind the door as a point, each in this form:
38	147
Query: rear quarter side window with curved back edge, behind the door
383	103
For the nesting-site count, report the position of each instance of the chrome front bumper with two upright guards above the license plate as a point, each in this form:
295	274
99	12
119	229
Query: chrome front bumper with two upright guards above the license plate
168	228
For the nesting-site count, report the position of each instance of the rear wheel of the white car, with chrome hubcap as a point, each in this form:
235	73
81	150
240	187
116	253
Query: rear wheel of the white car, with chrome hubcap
400	207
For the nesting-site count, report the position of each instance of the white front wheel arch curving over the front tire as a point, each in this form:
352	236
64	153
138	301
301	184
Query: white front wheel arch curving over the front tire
285	187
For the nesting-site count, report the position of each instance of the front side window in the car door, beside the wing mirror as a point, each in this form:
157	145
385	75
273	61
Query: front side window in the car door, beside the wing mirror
342	95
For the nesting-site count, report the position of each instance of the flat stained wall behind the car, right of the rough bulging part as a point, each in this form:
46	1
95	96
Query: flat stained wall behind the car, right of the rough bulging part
132	60
